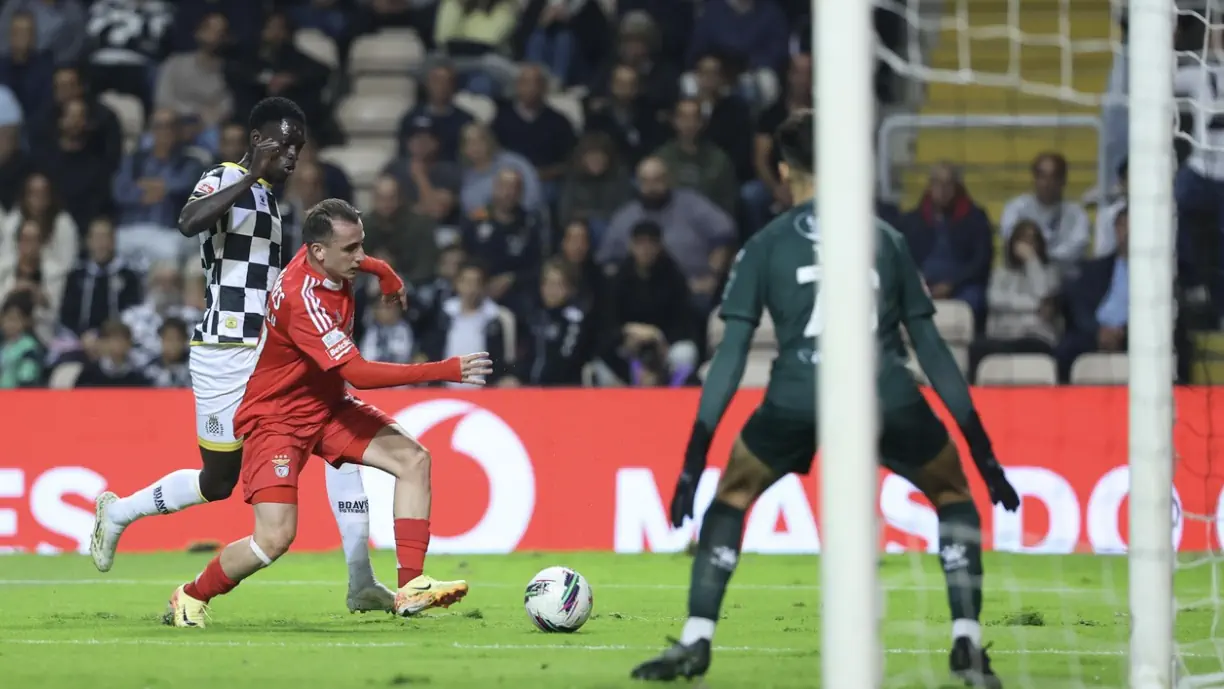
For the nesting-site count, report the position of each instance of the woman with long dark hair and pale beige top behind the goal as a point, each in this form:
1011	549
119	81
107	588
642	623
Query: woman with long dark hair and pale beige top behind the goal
1023	314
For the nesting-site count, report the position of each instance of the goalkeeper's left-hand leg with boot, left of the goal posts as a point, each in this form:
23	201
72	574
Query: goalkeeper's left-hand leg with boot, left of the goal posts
718	553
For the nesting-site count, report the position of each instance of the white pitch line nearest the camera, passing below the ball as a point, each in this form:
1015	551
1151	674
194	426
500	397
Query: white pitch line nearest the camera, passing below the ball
762	650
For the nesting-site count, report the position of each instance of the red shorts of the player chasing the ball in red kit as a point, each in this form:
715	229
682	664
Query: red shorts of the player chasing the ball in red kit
274	457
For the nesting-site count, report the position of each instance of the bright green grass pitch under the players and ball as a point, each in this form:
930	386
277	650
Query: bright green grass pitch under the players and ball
1056	622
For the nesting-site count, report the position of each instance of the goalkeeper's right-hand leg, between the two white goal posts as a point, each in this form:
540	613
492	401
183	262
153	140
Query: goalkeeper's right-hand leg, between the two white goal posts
960	550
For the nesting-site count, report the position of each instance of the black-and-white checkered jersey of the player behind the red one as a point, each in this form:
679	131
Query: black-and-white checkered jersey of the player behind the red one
242	258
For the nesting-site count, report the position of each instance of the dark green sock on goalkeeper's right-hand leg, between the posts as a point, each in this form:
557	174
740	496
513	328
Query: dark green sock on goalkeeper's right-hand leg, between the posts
960	549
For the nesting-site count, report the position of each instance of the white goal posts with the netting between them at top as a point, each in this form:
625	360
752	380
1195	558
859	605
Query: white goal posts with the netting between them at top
844	43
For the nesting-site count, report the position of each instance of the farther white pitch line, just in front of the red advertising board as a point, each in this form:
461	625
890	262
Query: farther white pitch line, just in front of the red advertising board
1020	586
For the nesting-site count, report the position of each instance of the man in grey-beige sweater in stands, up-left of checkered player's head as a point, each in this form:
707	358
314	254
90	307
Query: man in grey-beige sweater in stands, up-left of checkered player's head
195	83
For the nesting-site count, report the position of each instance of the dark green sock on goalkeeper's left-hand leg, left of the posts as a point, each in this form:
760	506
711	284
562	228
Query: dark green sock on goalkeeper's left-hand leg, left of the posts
718	551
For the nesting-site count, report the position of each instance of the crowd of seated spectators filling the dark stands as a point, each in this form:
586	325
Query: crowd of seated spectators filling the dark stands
583	248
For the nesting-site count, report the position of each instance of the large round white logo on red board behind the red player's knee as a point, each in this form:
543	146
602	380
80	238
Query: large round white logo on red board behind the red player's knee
494	446
